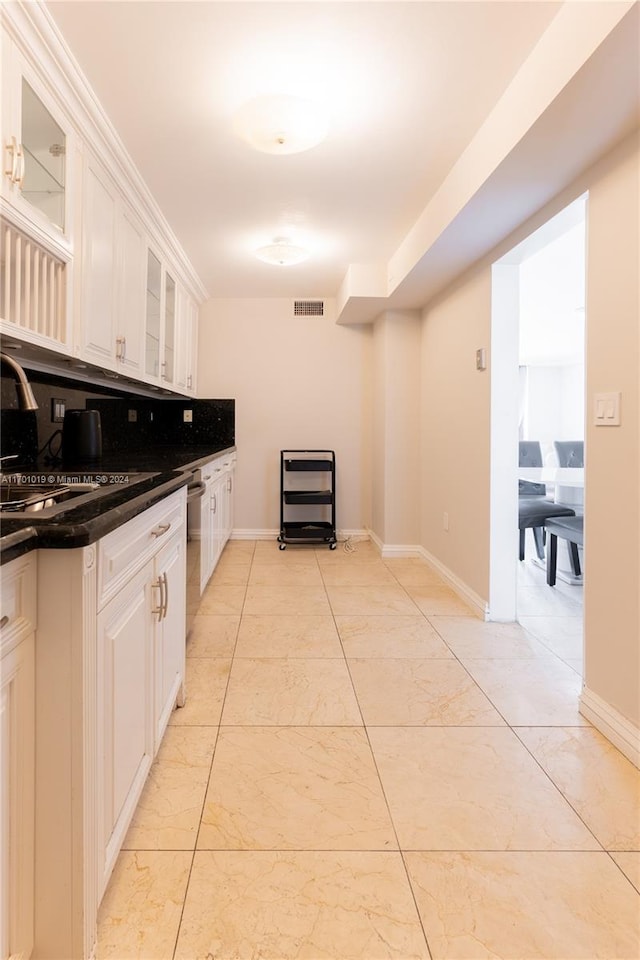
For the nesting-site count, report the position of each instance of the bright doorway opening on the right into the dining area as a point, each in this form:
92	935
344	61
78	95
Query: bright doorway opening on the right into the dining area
538	326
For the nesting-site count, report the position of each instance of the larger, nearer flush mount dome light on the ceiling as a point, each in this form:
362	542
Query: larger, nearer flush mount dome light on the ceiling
281	124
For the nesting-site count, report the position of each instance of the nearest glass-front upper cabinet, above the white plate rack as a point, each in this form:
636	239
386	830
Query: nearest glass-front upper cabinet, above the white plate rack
38	154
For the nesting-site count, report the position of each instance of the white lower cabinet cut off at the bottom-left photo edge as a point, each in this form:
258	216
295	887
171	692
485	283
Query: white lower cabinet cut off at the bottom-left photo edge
17	757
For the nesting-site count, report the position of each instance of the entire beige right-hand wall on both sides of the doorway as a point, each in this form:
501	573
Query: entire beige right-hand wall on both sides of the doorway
456	432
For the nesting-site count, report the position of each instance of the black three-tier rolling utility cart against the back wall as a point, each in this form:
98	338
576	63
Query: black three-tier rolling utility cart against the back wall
307	497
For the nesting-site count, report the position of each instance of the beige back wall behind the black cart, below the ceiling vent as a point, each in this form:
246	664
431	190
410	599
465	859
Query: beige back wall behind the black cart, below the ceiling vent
300	382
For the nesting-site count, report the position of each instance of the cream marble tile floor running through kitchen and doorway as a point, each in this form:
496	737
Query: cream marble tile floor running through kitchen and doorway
363	769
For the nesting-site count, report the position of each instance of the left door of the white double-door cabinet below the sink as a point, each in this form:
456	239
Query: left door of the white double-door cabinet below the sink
124	708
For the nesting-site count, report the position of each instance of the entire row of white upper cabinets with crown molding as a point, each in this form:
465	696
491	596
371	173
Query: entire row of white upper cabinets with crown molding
90	269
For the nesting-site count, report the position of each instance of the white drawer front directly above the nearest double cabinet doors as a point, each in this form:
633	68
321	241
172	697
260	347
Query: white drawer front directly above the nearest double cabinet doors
125	550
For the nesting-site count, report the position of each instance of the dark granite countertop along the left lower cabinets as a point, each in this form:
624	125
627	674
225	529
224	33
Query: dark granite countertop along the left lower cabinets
143	479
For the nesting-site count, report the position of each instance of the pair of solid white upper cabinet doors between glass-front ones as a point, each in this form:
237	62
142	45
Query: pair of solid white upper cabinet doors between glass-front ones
111	275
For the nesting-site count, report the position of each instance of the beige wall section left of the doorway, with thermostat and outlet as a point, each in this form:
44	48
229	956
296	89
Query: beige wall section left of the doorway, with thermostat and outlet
455	418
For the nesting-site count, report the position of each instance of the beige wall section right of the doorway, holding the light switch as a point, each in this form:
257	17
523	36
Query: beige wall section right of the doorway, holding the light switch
612	621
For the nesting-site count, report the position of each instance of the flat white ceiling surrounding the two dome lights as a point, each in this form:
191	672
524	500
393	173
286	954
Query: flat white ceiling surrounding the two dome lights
407	85
